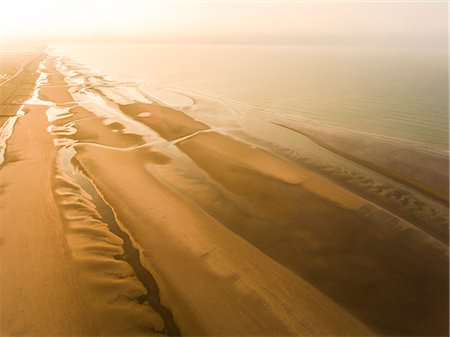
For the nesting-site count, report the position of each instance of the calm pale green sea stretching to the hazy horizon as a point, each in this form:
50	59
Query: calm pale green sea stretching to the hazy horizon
397	93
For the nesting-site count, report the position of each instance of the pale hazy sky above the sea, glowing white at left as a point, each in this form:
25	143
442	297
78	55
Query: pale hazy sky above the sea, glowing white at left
230	21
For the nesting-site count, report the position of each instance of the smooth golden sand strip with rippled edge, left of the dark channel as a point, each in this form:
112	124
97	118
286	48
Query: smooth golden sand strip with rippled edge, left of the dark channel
58	273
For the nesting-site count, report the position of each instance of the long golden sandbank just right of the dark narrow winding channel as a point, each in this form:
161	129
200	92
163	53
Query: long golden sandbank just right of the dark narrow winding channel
215	283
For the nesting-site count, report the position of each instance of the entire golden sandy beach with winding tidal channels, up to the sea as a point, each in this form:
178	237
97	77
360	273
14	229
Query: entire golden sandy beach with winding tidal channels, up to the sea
123	216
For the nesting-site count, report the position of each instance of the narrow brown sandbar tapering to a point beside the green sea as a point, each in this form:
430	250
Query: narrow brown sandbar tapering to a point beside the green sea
423	169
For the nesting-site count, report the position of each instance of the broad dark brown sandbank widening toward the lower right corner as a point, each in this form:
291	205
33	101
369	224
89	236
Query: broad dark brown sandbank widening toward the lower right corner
280	217
